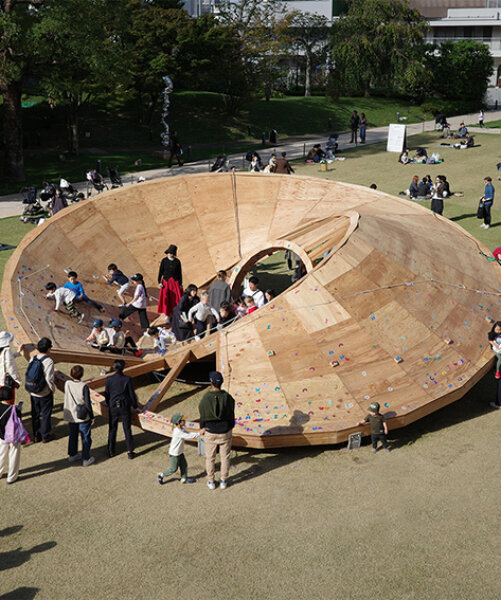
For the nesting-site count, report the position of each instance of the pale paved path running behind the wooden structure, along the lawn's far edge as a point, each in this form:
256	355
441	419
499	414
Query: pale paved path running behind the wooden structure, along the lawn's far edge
12	205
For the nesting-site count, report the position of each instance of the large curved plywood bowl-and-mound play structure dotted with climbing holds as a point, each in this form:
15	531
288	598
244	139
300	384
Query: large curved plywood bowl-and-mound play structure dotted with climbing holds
396	311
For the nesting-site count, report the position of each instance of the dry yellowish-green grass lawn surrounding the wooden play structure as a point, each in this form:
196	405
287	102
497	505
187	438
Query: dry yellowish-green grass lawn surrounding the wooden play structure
307	523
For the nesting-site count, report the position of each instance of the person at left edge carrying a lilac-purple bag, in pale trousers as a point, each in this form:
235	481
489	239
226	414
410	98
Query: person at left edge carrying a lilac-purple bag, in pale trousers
12	433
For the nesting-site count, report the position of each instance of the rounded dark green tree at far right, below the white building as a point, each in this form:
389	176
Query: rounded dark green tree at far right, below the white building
460	70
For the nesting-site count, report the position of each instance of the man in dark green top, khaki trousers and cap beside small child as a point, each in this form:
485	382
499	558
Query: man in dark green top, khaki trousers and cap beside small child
217	419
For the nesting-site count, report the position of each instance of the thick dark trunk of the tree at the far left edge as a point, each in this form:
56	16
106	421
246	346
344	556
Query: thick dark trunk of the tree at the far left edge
12	132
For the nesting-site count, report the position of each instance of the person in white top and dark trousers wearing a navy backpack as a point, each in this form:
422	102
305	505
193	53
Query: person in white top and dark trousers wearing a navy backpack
40	384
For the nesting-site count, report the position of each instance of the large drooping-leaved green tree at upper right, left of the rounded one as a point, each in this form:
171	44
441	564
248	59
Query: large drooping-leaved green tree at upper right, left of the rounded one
376	43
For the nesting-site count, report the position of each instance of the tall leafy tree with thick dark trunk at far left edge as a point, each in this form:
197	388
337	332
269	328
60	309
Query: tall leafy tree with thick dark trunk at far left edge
17	19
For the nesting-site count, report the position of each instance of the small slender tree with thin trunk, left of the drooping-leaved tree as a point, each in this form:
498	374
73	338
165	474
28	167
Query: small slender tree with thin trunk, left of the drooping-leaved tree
308	34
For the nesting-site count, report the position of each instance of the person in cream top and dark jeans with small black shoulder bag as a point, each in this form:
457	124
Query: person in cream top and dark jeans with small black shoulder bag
77	394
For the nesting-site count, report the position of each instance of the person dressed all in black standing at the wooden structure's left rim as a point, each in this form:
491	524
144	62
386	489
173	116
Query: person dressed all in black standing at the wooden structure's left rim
121	399
